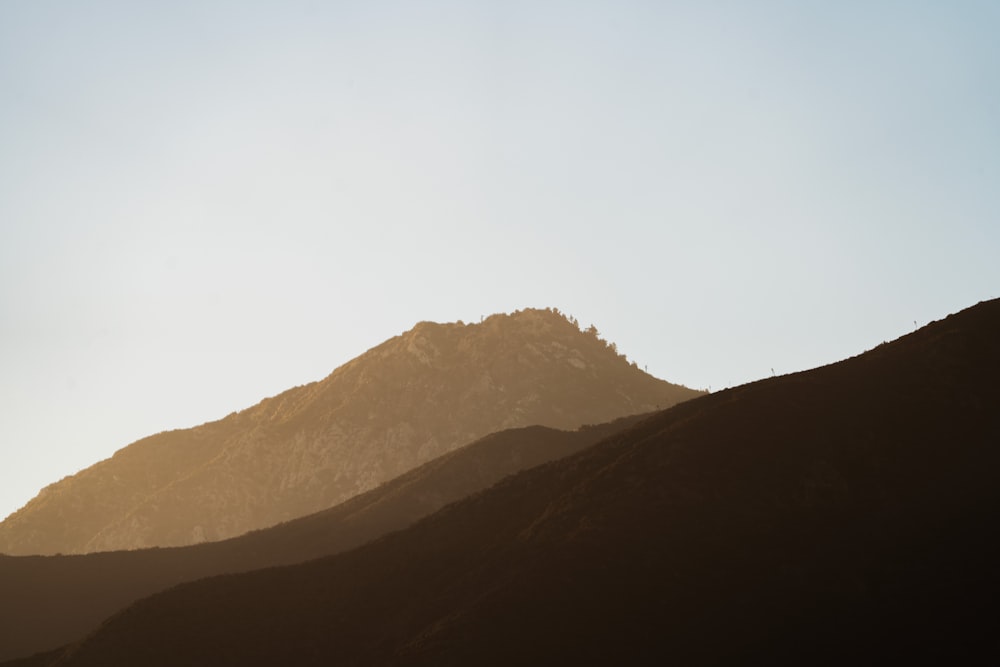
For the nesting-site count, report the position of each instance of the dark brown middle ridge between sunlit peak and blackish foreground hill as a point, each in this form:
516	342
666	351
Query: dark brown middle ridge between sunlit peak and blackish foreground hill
49	601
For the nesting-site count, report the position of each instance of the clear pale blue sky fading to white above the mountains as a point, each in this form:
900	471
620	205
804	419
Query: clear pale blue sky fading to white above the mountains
204	203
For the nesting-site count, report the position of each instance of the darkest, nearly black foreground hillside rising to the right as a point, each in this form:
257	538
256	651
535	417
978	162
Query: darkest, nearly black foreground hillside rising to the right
842	515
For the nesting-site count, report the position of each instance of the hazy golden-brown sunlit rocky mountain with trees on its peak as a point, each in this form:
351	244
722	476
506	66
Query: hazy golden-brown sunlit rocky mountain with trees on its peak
416	396
